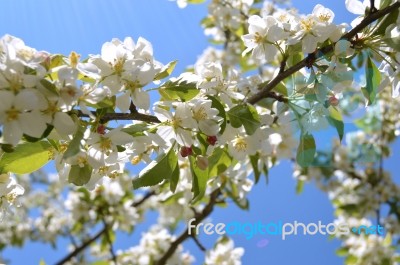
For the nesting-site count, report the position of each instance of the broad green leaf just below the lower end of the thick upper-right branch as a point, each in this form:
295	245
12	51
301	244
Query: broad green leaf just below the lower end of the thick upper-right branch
245	115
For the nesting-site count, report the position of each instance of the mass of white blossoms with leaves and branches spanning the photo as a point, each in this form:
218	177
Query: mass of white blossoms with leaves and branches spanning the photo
204	135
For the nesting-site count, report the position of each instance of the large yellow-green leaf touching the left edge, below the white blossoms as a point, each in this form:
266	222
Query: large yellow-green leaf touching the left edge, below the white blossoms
26	158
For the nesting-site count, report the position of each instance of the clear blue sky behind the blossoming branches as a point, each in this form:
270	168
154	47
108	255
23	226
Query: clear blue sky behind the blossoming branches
83	26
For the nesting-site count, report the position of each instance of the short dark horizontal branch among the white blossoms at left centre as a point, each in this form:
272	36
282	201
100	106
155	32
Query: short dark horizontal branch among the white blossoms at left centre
121	116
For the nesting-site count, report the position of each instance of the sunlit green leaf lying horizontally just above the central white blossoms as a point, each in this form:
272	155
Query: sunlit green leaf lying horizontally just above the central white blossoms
179	89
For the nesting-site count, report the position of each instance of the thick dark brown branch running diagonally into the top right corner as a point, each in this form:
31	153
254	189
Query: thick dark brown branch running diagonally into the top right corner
321	52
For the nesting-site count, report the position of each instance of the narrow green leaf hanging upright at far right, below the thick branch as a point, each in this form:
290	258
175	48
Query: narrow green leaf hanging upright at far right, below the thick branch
373	77
